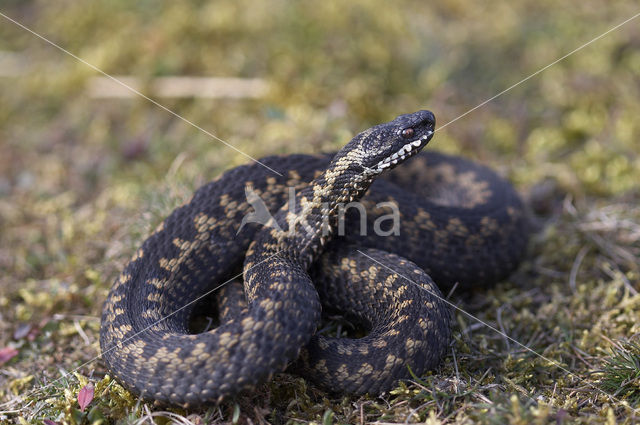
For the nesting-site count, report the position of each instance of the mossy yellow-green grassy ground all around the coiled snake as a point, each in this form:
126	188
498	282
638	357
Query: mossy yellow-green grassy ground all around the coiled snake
84	180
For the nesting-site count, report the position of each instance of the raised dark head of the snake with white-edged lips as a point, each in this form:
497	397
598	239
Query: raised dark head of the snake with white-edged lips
385	145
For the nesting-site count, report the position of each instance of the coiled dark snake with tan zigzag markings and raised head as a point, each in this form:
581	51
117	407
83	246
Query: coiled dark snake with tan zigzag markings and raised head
343	232
